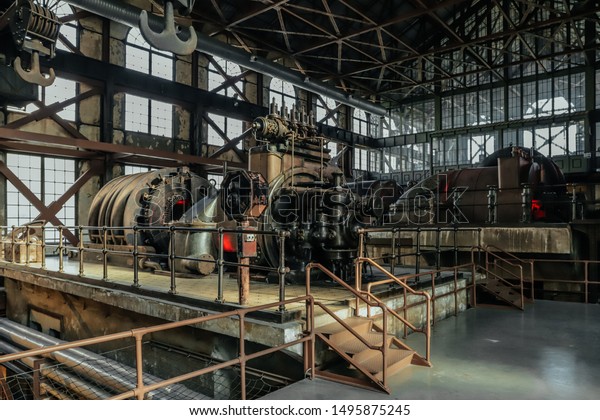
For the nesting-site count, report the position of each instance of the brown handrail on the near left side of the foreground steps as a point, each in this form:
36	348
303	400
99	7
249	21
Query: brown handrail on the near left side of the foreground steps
358	295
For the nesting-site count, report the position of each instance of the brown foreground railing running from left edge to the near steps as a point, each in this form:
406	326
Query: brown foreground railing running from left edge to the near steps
142	387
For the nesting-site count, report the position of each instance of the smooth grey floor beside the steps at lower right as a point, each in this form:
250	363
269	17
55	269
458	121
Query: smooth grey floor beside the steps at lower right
550	351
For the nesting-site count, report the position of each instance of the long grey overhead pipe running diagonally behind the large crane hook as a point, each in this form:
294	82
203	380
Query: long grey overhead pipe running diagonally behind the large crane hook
129	15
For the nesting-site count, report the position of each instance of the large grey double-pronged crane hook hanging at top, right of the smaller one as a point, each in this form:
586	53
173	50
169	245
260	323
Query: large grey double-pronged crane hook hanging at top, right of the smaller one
168	40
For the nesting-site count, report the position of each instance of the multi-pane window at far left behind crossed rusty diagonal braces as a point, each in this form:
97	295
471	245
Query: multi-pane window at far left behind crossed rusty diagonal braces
48	178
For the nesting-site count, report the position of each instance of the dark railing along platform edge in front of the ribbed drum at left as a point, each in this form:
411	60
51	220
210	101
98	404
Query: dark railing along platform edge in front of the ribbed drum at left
21	248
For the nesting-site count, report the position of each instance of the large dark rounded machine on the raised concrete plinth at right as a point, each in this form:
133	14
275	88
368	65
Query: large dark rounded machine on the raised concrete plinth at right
512	185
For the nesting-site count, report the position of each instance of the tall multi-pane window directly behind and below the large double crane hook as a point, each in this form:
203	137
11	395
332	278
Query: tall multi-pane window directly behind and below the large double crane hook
142	114
